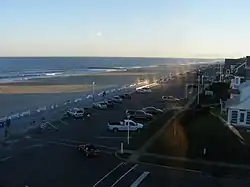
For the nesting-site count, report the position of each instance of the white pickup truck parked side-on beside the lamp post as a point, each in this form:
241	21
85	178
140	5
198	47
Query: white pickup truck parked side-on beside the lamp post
124	125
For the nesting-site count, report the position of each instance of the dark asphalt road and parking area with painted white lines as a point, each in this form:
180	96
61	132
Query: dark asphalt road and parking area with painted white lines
50	159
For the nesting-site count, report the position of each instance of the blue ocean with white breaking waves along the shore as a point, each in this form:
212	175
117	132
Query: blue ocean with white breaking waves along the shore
24	68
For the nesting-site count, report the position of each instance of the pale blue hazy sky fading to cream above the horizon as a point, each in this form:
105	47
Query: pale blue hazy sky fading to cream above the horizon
164	28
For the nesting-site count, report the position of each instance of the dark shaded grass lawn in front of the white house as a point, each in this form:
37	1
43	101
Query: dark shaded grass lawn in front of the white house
188	136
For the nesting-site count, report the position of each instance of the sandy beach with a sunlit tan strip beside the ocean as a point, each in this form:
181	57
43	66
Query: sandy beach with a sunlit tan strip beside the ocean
30	94
